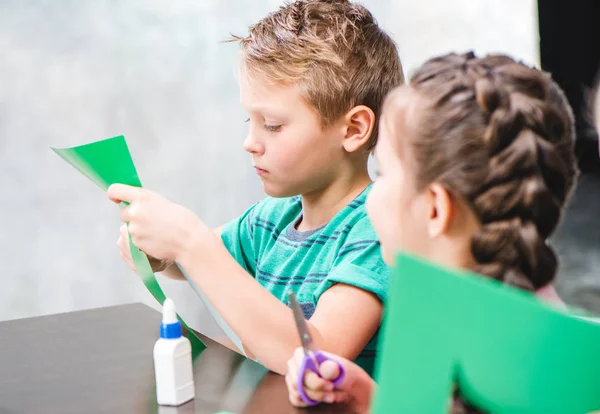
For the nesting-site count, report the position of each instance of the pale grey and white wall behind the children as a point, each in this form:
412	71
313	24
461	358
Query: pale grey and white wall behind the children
73	72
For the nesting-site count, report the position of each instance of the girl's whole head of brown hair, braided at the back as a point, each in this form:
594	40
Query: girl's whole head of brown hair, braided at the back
500	136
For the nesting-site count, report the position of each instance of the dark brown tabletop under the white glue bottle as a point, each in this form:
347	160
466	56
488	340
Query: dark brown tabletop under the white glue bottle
100	361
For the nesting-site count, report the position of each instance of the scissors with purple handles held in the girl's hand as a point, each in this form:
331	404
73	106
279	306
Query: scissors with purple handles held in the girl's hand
312	356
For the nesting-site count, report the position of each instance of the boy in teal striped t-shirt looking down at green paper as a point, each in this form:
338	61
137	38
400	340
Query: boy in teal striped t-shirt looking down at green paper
313	77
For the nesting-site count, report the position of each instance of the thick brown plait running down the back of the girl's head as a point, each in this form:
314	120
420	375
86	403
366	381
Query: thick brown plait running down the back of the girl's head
517	209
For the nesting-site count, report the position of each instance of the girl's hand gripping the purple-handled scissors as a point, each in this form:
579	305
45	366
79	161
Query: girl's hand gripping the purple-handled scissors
356	388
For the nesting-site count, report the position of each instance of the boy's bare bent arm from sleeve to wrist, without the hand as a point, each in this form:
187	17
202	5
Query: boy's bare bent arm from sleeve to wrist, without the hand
345	320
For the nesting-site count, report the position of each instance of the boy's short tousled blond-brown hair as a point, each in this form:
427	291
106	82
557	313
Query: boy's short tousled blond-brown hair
334	50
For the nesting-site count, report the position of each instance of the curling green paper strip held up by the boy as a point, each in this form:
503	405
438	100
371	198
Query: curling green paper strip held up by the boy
107	162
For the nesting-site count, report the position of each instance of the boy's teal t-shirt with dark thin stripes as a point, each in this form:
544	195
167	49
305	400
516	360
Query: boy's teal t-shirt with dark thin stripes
264	241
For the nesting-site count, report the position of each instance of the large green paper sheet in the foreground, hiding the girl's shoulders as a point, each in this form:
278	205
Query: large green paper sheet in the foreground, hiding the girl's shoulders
508	352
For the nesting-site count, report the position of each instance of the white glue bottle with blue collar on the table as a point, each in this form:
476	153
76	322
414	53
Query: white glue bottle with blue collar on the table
173	361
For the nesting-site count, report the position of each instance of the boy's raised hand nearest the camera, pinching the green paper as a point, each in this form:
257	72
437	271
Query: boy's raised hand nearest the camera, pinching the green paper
158	227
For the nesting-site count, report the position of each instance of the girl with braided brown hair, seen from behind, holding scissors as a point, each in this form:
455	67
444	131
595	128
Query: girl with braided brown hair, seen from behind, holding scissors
476	165
